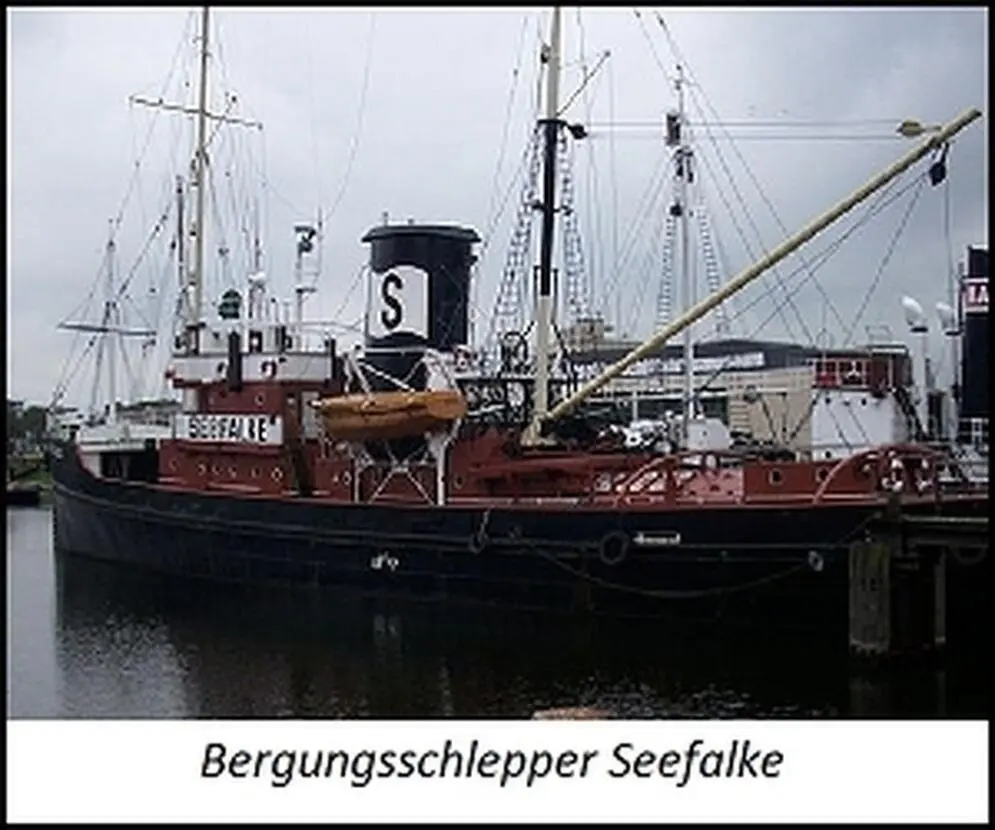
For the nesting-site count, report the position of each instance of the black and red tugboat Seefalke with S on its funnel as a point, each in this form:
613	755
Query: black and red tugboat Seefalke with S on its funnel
412	466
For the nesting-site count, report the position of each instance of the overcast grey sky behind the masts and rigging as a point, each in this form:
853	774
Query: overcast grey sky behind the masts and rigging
425	114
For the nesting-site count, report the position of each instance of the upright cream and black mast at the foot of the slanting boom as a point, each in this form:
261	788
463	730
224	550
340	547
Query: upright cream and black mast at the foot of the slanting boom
544	304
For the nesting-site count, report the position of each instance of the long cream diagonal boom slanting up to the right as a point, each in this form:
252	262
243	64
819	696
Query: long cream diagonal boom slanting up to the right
699	310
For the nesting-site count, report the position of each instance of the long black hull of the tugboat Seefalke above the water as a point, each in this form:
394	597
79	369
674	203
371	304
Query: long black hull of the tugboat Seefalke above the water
782	565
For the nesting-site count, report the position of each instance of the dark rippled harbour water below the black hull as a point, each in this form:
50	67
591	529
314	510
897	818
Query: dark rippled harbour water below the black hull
92	641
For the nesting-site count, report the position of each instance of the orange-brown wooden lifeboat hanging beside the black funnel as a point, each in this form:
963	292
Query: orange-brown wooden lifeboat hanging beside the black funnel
384	416
